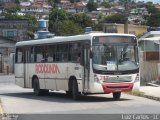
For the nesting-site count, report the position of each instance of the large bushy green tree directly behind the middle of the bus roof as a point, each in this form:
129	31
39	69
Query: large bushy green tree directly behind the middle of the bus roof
62	23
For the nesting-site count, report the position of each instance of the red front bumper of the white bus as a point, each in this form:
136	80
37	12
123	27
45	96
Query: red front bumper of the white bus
125	87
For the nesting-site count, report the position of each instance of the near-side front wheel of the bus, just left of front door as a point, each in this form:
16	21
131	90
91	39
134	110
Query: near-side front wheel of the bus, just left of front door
75	93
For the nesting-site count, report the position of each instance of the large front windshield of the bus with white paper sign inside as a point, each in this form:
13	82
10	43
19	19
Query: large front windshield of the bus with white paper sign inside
115	53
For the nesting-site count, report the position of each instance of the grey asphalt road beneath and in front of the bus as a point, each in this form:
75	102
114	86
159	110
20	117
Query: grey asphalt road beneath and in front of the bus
17	100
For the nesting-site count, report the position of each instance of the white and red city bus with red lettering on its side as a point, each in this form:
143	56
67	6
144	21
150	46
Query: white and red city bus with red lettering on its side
80	65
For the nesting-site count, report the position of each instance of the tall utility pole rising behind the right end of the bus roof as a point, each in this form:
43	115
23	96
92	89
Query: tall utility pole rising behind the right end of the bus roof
126	12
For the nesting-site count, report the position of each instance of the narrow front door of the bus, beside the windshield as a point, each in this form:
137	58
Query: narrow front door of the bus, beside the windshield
86	62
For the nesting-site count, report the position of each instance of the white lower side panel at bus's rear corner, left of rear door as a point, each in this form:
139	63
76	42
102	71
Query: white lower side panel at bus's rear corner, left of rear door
19	74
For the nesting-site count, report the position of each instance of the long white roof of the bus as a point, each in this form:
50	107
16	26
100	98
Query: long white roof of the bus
57	39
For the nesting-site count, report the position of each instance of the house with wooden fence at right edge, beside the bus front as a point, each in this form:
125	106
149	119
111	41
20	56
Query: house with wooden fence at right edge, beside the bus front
150	56
